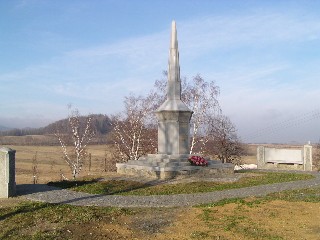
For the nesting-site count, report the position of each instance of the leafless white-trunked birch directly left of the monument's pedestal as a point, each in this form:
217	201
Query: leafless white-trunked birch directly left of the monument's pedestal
133	129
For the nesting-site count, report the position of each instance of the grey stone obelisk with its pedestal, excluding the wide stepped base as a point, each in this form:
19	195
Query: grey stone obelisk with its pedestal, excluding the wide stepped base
173	115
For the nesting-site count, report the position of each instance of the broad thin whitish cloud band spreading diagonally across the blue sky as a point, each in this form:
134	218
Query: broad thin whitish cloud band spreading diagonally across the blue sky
248	55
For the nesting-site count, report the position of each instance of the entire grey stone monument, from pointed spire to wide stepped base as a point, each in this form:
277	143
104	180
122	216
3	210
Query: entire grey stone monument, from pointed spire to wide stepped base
173	134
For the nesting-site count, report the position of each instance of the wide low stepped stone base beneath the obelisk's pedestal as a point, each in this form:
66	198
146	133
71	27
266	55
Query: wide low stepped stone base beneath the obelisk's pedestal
162	166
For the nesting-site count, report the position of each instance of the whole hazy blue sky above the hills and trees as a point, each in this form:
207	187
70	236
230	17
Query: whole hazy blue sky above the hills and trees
264	56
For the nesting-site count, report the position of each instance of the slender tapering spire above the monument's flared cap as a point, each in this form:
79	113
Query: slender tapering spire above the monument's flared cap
174	83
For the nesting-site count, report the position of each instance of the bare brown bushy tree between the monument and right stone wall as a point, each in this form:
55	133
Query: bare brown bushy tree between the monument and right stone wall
224	142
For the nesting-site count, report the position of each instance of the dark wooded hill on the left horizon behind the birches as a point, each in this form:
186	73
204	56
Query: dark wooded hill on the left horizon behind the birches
101	123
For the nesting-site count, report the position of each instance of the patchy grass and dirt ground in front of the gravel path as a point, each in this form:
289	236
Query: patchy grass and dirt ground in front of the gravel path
233	217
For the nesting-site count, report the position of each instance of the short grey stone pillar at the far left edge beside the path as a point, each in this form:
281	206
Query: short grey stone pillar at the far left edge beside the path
7	172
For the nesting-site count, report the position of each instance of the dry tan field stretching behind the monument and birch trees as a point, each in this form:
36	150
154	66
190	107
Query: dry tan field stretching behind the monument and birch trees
50	164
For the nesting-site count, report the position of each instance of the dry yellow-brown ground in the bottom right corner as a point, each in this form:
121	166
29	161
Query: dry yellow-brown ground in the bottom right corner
271	220
